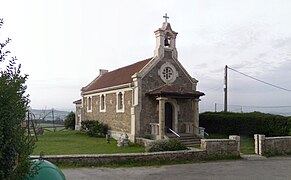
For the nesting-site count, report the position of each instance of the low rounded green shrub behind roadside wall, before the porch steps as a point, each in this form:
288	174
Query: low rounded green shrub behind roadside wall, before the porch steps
166	145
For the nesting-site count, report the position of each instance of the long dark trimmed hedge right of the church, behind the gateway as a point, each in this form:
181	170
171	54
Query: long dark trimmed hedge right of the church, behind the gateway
245	123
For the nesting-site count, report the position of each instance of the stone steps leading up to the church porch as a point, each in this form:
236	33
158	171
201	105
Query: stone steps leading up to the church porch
188	140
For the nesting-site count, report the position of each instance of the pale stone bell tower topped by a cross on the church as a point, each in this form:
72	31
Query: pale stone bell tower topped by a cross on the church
165	39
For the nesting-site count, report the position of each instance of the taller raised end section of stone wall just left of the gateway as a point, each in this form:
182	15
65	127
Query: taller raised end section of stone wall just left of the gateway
222	147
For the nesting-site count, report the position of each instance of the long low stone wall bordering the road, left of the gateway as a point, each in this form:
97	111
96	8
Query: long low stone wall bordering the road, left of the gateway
220	148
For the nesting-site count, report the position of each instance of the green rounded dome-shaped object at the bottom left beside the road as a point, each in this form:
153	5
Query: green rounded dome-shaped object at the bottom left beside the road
47	171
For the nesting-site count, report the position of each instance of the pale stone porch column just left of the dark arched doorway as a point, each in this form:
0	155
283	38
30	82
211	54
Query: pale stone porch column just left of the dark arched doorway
161	117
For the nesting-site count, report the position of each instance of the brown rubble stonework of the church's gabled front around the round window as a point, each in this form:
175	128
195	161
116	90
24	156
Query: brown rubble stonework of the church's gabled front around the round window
149	104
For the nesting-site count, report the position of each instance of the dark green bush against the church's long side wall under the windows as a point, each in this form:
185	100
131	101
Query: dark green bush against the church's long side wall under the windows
94	128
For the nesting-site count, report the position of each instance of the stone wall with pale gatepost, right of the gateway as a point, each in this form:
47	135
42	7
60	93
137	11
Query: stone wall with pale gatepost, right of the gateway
272	145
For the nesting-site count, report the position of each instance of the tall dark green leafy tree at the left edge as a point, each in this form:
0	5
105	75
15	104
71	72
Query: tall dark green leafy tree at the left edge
15	144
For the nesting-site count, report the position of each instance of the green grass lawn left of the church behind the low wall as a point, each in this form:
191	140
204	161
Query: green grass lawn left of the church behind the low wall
76	142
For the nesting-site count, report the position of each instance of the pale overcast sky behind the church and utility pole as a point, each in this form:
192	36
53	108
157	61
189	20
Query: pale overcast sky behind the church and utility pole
61	44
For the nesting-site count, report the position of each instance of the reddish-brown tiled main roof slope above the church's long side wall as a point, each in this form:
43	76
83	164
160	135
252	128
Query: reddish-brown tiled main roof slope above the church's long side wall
117	77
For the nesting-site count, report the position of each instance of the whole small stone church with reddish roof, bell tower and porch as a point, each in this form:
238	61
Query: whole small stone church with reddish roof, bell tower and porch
150	98
